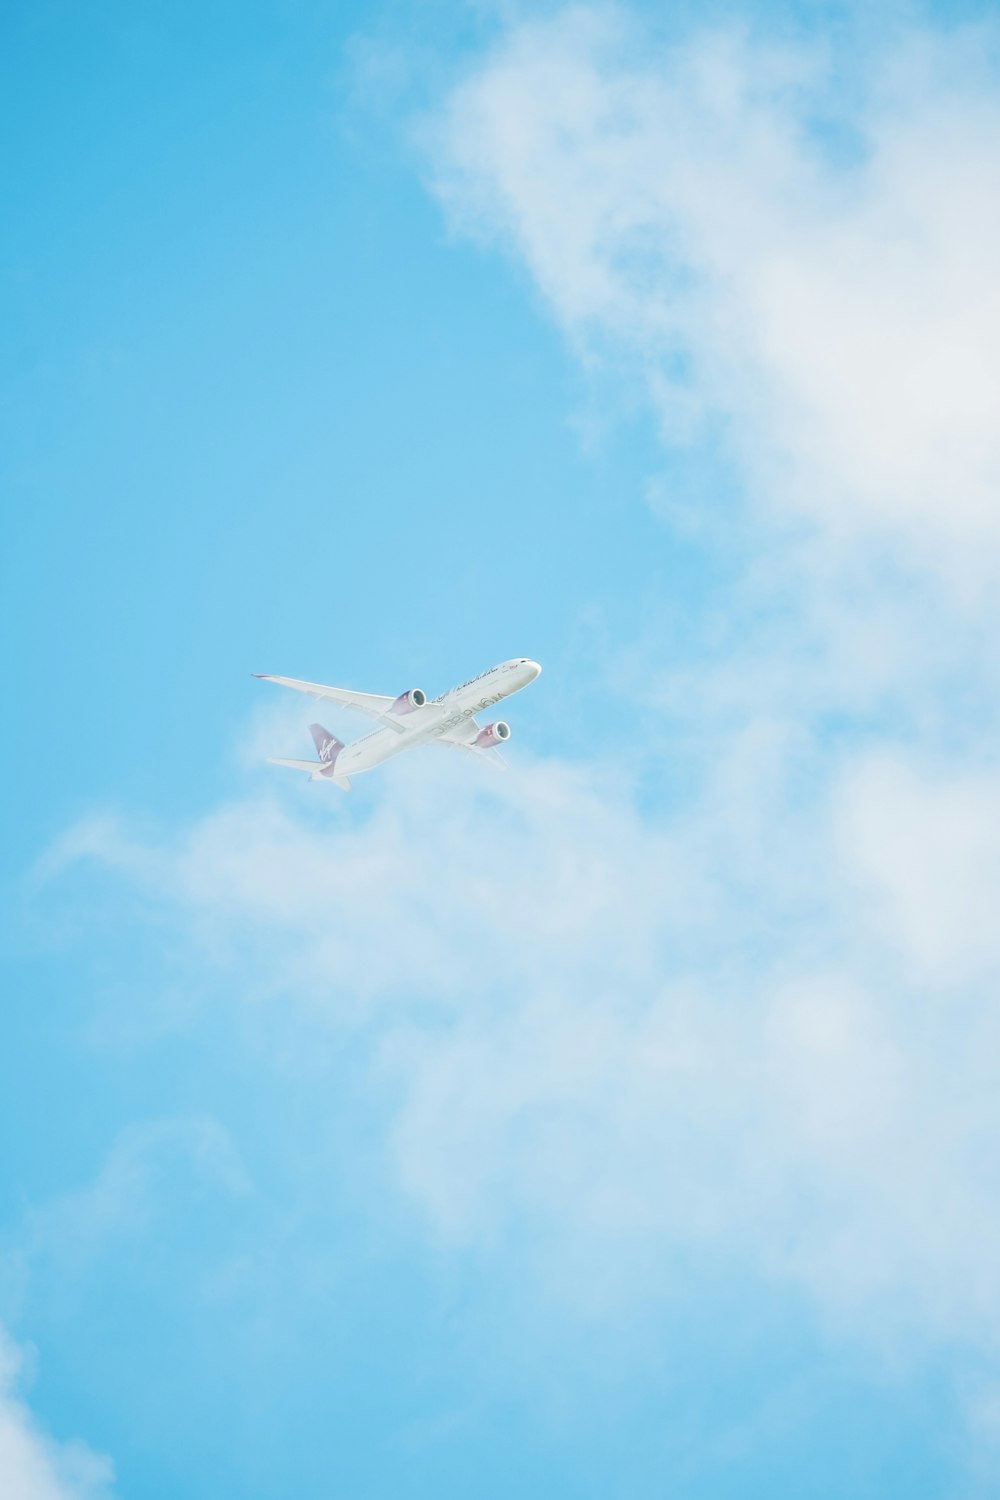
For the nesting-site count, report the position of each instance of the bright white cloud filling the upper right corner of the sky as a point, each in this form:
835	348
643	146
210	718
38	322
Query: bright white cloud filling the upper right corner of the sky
818	277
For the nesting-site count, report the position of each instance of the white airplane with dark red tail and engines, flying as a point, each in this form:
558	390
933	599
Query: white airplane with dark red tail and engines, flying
412	719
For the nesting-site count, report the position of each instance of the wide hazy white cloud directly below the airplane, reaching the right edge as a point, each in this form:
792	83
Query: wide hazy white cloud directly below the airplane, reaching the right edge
629	1036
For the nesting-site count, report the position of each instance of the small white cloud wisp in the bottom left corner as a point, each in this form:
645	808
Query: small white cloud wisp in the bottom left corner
32	1465
